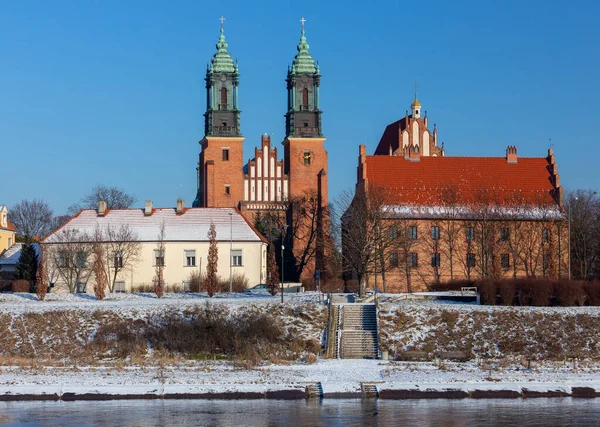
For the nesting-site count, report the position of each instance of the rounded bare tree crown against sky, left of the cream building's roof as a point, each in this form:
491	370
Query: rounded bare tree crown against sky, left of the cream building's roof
32	218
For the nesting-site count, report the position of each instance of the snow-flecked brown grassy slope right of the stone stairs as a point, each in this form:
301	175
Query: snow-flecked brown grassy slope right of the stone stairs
496	332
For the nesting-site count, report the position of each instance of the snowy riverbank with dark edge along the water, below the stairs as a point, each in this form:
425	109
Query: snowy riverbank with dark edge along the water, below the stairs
337	379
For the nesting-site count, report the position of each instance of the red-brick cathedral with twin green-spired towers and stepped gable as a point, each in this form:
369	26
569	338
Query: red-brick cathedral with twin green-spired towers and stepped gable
265	183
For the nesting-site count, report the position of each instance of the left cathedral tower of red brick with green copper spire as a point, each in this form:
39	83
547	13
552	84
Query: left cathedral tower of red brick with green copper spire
220	176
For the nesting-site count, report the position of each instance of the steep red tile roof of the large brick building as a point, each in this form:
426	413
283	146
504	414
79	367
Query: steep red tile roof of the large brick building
474	178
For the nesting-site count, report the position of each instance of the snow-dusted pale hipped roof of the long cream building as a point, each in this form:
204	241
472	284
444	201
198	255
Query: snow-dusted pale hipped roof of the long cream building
191	226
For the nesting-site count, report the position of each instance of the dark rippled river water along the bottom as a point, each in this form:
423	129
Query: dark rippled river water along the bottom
327	412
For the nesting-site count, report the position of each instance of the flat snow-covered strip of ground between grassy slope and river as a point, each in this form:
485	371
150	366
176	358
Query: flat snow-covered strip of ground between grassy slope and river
336	376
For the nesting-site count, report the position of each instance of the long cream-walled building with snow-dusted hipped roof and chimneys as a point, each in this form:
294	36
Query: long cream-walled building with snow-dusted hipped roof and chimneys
186	243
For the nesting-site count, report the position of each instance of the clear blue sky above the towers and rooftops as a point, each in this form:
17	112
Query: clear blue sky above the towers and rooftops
112	92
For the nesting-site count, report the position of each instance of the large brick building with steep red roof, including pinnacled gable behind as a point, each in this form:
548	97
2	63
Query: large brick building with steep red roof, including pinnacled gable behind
445	218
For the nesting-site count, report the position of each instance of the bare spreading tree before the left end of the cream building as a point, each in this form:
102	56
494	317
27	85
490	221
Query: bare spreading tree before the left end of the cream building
68	254
